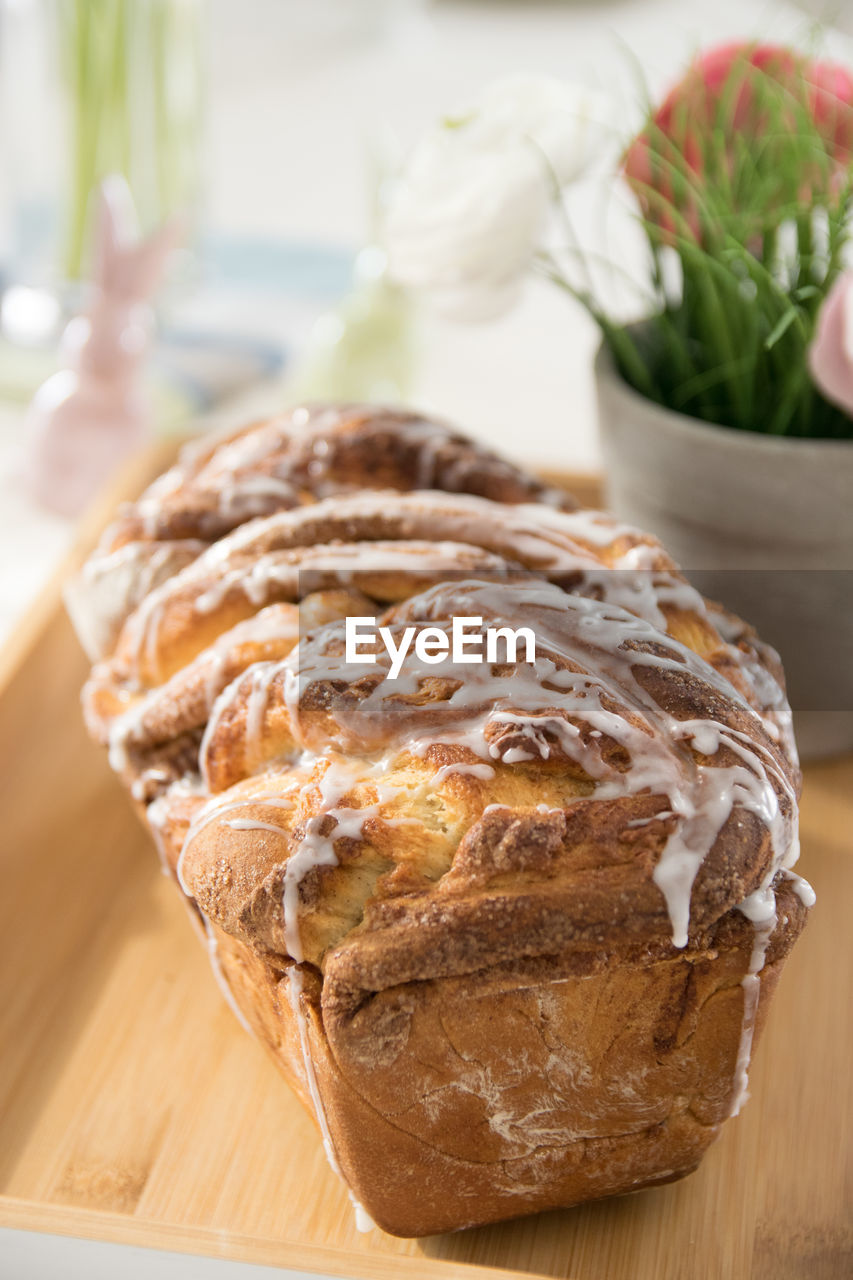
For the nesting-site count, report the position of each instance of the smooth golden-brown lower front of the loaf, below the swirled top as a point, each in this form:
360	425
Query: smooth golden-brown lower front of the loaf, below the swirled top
460	1101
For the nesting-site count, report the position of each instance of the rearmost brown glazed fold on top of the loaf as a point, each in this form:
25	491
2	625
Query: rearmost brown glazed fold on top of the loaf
312	452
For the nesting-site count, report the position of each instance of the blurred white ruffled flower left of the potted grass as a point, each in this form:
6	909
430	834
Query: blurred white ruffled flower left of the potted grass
471	208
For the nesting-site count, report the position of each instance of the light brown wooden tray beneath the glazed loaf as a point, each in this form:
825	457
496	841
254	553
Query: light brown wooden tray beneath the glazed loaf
135	1109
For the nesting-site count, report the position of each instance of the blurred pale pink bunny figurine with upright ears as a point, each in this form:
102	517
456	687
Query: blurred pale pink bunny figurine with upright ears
85	420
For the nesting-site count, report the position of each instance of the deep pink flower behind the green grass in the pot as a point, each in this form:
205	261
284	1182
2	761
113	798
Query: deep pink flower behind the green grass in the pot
728	94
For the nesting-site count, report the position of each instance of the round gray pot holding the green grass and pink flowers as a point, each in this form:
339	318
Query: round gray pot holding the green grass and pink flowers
764	524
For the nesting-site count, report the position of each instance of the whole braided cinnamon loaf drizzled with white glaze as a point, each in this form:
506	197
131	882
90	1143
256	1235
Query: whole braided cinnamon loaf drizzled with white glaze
509	929
